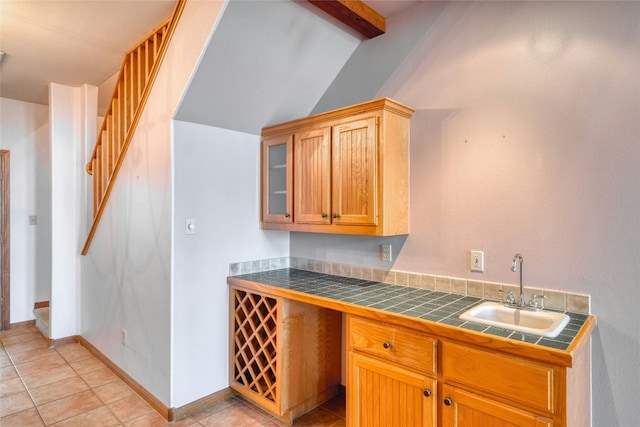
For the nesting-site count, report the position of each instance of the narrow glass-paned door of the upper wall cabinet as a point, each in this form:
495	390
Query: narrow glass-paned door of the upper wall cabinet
277	184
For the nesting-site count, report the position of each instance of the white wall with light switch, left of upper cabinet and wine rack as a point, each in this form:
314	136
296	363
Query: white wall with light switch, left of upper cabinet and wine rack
216	182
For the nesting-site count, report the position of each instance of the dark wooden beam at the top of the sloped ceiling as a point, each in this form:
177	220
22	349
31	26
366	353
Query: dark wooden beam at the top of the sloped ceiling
356	14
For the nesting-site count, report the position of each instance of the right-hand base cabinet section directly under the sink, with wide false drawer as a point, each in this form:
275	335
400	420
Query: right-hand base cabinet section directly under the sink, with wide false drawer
482	387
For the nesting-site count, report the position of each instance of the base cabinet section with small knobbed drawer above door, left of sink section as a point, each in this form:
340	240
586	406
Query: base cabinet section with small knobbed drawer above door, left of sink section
390	375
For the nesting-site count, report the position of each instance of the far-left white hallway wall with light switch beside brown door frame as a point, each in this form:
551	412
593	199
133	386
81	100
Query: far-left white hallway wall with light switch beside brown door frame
24	131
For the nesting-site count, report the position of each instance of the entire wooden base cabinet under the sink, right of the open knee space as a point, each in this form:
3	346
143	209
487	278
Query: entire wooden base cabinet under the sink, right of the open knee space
400	376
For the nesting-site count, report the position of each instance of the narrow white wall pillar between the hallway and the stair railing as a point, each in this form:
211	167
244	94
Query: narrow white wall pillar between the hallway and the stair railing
72	116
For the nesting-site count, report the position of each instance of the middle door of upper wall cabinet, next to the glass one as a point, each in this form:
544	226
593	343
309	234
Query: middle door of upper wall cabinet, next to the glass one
312	197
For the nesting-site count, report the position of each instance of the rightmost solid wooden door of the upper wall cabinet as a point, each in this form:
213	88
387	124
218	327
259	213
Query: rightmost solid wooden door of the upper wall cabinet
355	172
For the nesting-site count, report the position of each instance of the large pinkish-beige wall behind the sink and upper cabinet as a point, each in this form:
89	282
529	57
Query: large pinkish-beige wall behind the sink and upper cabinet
526	139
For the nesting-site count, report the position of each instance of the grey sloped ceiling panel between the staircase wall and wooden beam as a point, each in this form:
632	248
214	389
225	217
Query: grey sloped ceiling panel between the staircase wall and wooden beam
266	62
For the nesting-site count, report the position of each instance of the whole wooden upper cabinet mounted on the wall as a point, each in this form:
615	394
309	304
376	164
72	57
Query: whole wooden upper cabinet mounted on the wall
351	171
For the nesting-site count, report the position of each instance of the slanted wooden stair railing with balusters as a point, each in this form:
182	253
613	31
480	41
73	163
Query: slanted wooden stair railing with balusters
135	80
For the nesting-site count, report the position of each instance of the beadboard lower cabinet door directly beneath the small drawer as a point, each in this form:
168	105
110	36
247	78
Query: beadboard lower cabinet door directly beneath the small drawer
384	394
